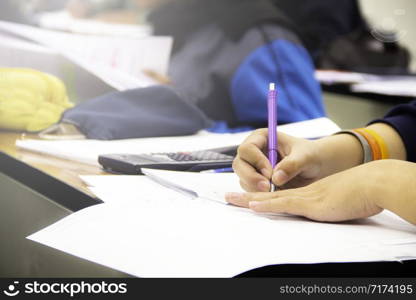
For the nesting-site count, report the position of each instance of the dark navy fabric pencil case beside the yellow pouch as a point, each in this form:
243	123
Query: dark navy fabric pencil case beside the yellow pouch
145	112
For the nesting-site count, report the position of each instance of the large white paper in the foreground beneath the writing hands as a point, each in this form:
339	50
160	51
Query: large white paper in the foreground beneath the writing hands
149	231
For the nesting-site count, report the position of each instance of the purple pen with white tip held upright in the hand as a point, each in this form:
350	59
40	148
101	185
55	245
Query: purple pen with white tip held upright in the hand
272	117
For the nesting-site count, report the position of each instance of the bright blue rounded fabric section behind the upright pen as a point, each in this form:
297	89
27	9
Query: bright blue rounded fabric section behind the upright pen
289	66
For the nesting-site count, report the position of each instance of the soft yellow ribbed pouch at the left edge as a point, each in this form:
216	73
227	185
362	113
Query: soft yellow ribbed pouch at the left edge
30	100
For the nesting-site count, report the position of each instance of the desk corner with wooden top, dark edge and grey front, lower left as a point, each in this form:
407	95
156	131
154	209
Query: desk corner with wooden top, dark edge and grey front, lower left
26	208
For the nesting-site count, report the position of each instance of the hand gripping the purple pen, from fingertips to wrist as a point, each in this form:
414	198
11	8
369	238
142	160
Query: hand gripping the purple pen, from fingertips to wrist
299	164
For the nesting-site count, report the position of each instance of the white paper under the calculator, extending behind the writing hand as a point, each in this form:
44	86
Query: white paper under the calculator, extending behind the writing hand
87	151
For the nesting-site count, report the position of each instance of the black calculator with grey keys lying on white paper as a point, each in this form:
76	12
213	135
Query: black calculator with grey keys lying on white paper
195	161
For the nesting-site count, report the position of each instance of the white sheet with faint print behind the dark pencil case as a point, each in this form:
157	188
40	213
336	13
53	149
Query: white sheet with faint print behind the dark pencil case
118	61
